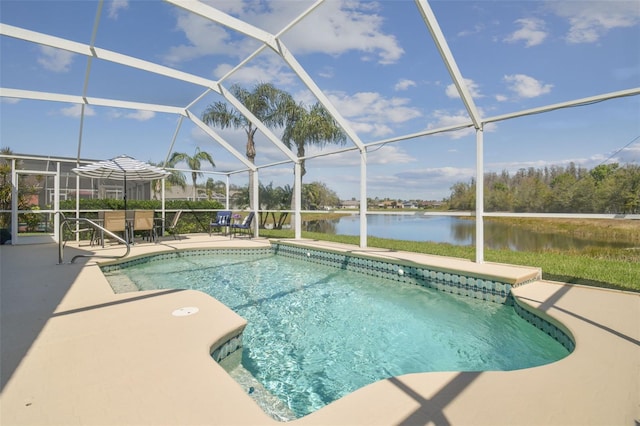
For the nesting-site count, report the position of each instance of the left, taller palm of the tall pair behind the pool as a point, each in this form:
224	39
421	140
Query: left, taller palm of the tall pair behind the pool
264	102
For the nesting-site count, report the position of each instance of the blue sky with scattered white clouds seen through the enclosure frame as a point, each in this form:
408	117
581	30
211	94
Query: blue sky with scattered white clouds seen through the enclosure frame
375	61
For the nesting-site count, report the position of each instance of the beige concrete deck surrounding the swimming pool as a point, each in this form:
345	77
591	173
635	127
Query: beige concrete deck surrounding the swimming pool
75	353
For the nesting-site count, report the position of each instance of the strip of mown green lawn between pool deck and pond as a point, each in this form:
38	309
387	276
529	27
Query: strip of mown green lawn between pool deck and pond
611	268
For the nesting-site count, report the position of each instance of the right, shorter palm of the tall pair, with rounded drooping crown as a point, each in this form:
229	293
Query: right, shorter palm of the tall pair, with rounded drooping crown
313	126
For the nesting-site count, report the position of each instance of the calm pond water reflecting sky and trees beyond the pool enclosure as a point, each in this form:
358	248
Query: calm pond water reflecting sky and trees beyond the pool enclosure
452	230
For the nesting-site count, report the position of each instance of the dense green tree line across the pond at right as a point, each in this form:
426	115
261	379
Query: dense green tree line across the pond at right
607	188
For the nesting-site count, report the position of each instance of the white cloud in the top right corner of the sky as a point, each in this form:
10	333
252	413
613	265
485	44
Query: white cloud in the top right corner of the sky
590	20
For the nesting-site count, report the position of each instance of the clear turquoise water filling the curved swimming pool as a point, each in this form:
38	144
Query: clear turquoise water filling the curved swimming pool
316	333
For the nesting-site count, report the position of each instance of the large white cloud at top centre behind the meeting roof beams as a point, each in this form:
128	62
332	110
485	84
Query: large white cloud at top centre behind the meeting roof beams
339	27
